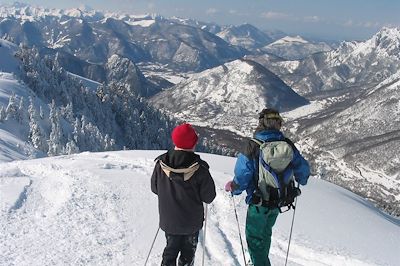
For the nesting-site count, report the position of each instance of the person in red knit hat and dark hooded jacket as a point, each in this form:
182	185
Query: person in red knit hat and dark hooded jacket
182	182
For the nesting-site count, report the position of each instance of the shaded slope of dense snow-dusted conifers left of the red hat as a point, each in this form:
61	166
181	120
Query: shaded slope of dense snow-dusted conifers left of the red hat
112	117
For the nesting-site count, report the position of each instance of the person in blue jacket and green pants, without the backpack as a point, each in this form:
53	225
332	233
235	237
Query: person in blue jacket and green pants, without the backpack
261	218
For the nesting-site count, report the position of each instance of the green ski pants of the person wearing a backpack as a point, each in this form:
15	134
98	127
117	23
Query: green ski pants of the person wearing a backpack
259	223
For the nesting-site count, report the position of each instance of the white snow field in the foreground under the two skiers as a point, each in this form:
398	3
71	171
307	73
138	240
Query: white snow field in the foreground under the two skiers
98	209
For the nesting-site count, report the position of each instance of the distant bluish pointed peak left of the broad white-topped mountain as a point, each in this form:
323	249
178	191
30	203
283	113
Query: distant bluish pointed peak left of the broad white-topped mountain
245	35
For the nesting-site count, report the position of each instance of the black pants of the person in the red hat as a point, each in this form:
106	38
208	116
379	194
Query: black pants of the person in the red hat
185	244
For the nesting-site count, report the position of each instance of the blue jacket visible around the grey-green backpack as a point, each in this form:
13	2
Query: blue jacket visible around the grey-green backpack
247	164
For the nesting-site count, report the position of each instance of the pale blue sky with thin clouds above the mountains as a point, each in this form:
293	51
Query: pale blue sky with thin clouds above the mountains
325	19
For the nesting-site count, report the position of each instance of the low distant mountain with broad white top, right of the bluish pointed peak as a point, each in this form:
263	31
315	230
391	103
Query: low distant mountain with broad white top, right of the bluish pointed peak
295	48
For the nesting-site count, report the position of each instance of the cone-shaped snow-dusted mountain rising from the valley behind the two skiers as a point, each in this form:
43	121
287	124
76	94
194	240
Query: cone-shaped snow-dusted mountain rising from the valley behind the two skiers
228	96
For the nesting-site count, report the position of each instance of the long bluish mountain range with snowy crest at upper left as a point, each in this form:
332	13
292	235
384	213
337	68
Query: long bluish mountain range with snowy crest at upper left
94	36
